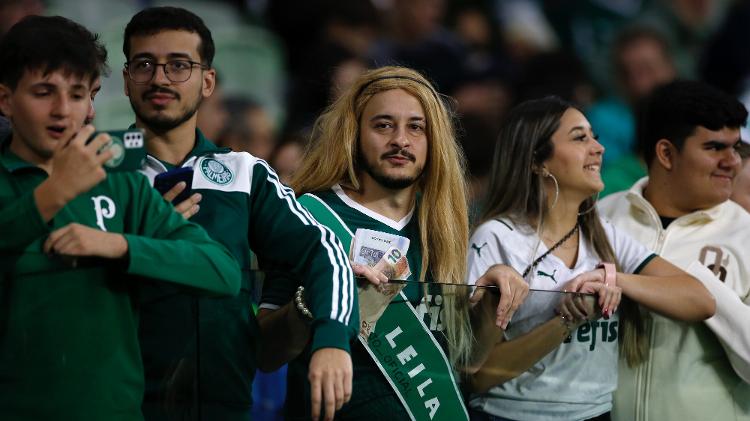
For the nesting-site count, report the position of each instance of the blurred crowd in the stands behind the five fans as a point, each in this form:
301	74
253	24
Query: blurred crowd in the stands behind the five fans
280	62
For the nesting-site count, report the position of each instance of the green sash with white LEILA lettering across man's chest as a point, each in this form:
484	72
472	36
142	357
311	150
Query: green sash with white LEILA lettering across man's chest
402	347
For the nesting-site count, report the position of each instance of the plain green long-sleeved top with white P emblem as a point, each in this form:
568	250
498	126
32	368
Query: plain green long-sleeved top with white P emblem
69	347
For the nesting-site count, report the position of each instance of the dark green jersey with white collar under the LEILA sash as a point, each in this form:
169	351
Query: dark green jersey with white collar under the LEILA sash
372	395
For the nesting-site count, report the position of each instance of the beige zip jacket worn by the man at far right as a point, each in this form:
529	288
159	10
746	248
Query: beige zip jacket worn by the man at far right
694	371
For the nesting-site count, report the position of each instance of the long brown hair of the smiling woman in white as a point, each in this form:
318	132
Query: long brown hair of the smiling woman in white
517	192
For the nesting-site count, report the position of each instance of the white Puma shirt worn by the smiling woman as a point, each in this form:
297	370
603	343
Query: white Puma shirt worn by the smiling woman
576	380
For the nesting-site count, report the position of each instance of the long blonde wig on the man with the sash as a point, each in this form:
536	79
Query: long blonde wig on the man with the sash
330	158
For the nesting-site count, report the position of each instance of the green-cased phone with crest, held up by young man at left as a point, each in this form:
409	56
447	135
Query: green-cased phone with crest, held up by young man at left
128	149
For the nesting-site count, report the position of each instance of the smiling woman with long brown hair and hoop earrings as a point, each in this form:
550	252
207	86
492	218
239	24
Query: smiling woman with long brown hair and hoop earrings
541	219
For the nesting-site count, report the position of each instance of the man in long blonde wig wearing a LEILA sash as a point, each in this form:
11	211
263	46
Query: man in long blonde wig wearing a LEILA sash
384	157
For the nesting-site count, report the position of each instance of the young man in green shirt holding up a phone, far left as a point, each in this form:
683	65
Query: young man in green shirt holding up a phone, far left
76	242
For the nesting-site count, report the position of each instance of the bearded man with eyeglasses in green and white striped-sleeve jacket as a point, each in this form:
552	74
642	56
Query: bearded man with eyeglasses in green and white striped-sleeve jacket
199	354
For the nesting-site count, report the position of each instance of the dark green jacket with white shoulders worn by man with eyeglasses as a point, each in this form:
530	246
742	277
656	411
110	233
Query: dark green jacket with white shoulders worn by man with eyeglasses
212	341
